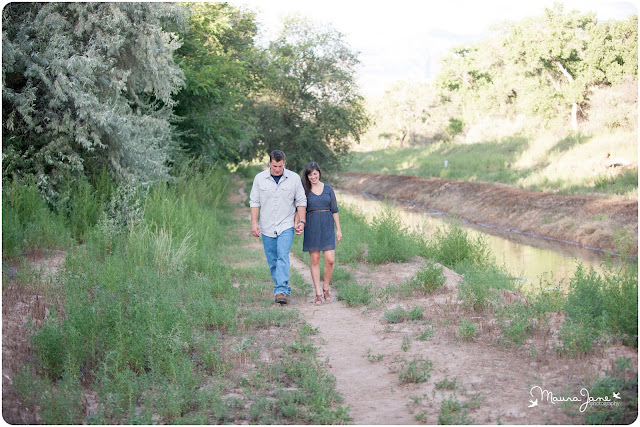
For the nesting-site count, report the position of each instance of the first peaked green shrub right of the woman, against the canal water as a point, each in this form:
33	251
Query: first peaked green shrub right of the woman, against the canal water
390	240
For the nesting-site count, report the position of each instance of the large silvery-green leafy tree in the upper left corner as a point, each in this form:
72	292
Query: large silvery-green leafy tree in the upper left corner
88	85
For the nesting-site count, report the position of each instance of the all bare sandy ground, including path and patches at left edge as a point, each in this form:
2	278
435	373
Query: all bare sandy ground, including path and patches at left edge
365	353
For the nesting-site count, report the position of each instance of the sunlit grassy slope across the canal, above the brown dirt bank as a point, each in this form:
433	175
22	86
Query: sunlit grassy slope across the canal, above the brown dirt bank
570	164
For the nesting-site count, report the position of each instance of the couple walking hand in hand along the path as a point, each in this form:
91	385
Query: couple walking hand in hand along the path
286	204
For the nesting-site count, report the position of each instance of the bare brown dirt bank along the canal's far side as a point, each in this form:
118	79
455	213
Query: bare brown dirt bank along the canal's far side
588	221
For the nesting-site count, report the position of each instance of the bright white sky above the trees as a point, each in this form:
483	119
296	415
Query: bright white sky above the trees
404	39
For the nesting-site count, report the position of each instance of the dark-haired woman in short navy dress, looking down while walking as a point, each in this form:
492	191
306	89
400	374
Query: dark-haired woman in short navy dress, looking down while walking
319	233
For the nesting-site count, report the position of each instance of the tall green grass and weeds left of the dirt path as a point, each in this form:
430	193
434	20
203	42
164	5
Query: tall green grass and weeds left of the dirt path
155	324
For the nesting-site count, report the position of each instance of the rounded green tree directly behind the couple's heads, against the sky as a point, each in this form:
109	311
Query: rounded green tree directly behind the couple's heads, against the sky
310	106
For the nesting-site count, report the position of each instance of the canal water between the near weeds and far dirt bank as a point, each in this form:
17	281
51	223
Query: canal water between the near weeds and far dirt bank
534	261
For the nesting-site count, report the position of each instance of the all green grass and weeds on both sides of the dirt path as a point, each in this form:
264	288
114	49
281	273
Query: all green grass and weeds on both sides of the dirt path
165	314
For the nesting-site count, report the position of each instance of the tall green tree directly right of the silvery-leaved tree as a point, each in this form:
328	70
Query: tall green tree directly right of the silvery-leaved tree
217	57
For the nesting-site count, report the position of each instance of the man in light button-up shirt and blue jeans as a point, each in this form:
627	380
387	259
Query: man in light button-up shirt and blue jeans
275	196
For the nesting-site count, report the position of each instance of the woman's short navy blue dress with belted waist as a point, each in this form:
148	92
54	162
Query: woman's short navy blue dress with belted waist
319	232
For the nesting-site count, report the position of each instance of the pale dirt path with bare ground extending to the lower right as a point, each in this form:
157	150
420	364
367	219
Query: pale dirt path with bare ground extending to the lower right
492	383
